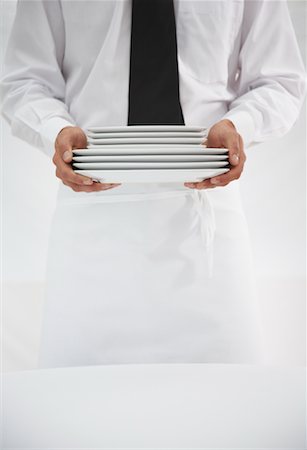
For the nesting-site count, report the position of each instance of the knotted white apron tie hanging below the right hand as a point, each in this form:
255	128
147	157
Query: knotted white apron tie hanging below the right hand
204	208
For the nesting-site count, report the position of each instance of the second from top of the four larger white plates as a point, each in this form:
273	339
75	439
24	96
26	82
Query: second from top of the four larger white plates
155	158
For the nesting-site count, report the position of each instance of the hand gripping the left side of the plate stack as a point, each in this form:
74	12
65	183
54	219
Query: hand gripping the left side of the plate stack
68	139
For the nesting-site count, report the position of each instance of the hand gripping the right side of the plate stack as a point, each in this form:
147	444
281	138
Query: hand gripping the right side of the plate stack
224	135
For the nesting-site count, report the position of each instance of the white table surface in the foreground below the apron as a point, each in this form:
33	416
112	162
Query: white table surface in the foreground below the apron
155	406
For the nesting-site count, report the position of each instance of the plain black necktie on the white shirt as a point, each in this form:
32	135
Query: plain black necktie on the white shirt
153	82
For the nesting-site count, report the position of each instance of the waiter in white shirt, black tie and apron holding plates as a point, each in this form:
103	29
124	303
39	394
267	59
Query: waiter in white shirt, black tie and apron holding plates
150	273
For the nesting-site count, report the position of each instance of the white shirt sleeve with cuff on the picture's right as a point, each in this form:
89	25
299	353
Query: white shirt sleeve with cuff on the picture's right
272	79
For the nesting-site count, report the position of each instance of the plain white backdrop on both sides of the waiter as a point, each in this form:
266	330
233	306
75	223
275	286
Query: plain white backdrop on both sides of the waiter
273	190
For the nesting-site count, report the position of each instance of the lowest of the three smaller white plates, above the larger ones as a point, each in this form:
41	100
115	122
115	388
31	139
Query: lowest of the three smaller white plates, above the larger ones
144	140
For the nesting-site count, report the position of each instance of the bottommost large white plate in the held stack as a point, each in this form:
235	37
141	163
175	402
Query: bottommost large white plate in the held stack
151	176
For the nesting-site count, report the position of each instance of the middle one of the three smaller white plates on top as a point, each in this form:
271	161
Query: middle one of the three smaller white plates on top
145	134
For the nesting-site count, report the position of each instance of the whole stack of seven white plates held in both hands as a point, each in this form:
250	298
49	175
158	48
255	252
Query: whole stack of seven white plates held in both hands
153	153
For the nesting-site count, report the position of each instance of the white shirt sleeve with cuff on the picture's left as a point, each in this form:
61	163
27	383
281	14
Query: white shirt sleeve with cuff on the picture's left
32	85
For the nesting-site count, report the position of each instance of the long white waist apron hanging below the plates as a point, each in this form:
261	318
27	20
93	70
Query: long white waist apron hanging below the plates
150	273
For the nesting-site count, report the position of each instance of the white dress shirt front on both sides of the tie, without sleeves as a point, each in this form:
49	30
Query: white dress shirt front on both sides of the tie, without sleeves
97	52
